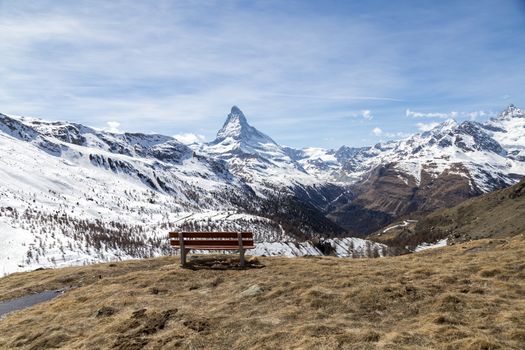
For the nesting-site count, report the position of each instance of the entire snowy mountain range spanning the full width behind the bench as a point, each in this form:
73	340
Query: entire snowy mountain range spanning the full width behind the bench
69	192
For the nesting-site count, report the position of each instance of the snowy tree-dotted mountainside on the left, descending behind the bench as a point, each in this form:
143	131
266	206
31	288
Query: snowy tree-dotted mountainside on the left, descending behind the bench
73	194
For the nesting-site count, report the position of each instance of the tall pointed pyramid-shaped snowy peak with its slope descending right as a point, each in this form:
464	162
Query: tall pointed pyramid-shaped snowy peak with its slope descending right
259	162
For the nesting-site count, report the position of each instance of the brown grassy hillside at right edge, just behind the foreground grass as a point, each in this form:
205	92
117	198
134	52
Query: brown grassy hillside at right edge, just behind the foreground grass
498	213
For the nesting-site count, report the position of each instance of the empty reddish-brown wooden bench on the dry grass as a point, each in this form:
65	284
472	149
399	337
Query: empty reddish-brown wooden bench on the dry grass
211	241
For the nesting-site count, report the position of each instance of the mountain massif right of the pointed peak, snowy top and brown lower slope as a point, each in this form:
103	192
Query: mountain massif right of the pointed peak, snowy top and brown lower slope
426	171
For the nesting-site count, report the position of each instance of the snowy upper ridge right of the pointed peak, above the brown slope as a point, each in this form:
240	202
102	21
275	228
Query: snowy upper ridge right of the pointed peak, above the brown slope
491	154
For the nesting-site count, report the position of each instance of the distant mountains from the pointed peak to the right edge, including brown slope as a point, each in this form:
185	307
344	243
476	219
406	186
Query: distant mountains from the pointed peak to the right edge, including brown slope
363	189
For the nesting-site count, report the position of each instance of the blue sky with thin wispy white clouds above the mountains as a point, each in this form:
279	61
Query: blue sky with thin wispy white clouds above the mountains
319	73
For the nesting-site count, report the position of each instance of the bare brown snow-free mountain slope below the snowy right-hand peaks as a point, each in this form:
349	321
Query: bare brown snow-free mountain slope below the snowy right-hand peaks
387	195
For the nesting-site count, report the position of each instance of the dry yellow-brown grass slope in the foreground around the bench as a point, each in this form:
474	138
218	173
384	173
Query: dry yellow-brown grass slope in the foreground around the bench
470	296
